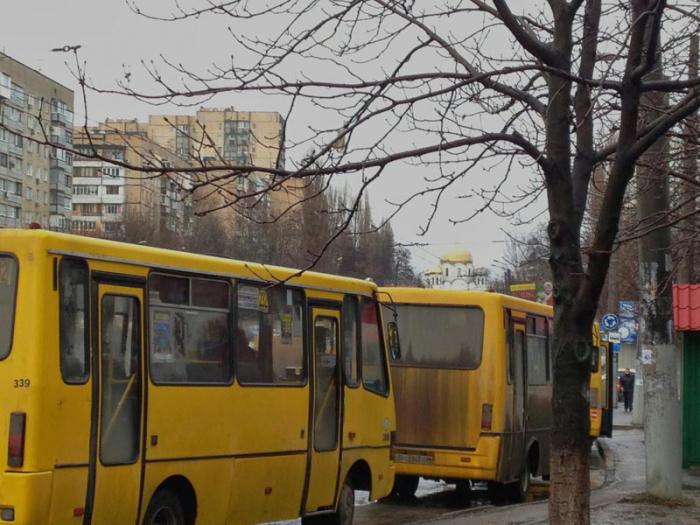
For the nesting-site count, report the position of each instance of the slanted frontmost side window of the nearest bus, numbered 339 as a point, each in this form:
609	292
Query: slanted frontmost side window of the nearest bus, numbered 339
374	371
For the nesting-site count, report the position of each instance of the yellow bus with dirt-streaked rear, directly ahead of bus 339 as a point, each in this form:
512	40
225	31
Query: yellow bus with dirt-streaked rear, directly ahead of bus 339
473	389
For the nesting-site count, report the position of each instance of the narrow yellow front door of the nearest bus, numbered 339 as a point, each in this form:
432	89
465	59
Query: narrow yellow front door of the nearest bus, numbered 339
325	450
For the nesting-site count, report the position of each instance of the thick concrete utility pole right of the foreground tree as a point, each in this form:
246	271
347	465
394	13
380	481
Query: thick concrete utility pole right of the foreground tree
659	356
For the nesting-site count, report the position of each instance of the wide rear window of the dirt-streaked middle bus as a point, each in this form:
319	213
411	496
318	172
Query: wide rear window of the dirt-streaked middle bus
440	337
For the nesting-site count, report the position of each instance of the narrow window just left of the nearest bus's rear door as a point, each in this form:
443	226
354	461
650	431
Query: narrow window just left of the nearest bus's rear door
73	314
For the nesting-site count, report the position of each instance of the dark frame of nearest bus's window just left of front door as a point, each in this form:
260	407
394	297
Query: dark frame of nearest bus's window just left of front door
304	334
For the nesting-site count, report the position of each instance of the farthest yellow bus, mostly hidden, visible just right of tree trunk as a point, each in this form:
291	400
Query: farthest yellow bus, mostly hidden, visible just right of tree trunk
601	388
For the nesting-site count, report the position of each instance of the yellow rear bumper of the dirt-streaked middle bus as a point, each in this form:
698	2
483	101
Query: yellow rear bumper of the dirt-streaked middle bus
479	464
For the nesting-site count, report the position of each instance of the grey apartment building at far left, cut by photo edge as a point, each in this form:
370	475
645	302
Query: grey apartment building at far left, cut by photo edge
35	179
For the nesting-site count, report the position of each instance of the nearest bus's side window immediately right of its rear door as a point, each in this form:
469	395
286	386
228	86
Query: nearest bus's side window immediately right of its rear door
190	343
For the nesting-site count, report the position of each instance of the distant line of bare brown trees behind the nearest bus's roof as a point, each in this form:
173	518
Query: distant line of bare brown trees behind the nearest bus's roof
362	247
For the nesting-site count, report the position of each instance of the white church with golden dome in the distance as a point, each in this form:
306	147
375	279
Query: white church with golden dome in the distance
457	272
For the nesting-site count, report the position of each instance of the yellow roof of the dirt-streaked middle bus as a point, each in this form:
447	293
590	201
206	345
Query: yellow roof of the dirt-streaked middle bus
459	297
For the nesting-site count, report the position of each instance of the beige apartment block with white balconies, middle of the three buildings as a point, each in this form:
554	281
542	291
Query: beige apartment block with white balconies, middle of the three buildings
112	200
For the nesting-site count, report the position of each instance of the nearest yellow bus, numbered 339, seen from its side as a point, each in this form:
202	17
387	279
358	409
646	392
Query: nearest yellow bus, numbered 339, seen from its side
147	386
